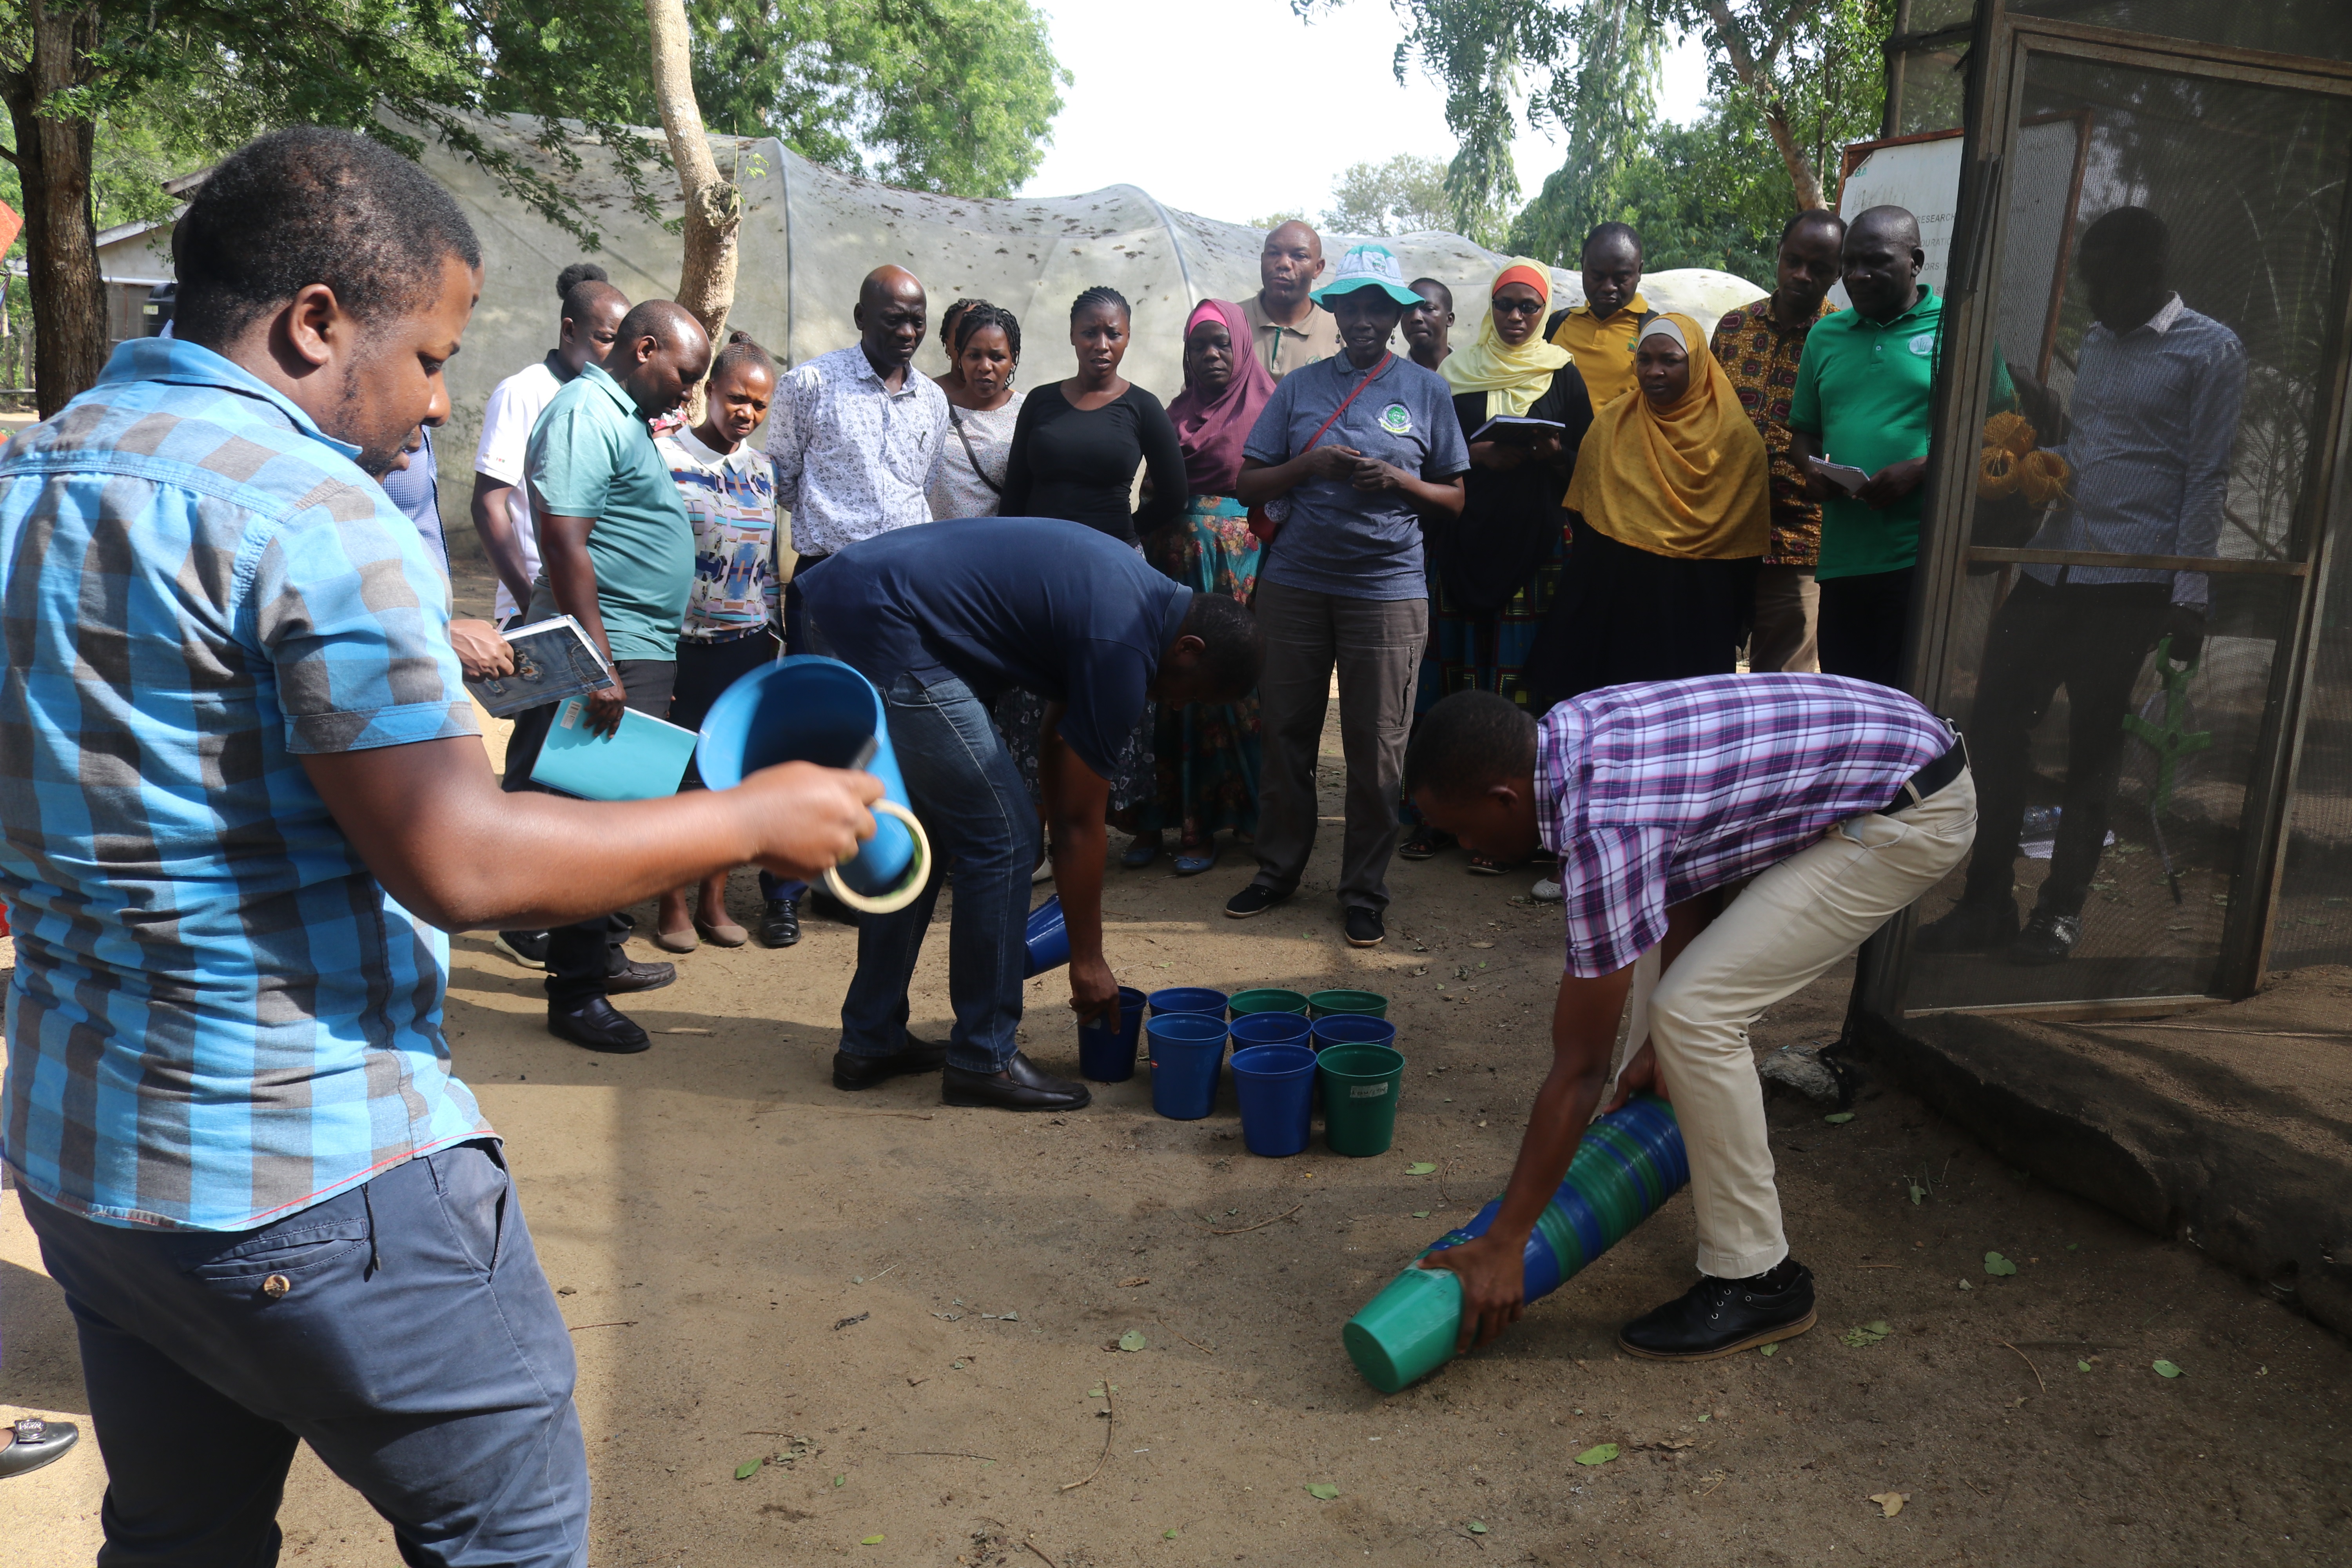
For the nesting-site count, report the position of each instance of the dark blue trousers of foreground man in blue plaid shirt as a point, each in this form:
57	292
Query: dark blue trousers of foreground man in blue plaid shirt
403	1329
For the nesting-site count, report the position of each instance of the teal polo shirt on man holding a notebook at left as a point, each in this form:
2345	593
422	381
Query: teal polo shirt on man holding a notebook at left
594	457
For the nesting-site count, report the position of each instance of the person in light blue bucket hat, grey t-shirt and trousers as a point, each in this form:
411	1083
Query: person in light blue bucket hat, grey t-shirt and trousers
1344	474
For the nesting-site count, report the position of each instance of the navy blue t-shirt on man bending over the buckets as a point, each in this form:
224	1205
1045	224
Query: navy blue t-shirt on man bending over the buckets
1036	603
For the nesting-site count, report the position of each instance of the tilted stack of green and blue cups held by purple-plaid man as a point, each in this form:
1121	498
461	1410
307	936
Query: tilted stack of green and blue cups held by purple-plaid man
1626	1170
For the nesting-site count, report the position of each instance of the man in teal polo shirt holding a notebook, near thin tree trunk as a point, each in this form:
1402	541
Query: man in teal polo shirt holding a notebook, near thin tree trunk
617	556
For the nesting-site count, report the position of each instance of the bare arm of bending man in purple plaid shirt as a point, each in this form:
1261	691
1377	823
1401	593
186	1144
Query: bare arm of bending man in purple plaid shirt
1584	1038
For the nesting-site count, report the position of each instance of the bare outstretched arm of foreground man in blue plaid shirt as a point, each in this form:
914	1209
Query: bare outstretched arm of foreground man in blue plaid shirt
460	855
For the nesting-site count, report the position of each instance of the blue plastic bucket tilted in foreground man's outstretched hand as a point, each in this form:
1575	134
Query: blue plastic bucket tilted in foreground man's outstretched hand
822	711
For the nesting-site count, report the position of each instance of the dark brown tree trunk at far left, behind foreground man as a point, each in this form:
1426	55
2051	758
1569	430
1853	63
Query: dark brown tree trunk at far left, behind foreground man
60	241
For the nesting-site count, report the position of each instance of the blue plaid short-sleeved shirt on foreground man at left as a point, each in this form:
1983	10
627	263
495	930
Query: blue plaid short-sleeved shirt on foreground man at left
218	1014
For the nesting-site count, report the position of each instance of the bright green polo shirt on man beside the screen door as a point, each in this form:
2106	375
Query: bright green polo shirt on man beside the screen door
1864	389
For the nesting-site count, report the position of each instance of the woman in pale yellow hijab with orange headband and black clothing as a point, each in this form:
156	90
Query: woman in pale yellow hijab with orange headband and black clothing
1495	568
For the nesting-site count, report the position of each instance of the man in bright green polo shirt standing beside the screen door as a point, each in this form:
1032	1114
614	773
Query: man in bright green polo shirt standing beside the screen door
1864	403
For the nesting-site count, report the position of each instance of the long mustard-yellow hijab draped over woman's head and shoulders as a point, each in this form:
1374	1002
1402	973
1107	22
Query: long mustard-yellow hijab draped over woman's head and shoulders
1688	481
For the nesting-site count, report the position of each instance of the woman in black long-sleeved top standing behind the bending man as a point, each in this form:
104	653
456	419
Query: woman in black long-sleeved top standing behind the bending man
1081	441
